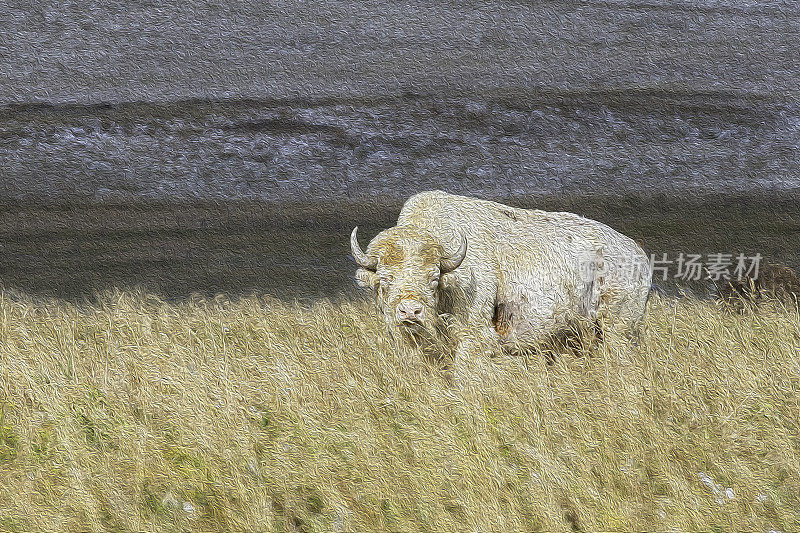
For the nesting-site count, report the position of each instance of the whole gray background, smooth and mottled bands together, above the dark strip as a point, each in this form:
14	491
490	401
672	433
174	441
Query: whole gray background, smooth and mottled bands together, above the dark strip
569	97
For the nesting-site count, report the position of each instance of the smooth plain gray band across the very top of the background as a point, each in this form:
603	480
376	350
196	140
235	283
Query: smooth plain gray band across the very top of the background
69	51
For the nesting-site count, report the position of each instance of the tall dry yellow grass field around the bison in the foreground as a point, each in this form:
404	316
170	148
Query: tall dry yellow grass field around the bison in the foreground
134	414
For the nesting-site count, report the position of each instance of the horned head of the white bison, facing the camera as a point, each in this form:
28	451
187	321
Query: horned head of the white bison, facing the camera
406	267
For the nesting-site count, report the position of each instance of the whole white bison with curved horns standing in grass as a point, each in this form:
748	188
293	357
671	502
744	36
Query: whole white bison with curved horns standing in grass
462	274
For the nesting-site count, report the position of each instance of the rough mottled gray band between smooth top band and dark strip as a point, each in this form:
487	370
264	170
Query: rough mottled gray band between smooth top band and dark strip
602	144
